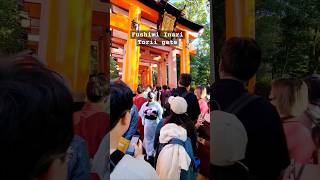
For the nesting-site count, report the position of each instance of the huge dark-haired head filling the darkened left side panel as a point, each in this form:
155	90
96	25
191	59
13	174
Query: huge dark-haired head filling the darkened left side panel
35	121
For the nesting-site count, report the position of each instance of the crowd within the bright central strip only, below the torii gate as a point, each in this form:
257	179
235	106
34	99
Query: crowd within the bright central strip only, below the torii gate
168	122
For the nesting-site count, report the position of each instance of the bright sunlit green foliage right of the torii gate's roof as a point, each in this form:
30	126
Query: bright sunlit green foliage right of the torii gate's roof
198	11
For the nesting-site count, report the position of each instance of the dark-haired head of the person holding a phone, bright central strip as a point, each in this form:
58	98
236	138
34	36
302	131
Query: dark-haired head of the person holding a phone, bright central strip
121	101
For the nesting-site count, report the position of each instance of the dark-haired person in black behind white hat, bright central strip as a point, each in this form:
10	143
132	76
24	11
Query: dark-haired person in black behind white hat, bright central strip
183	90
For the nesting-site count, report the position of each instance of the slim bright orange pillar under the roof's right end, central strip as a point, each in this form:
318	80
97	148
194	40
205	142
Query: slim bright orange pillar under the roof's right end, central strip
185	55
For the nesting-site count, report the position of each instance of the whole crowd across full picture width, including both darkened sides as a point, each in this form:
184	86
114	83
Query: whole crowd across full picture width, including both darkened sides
159	132
